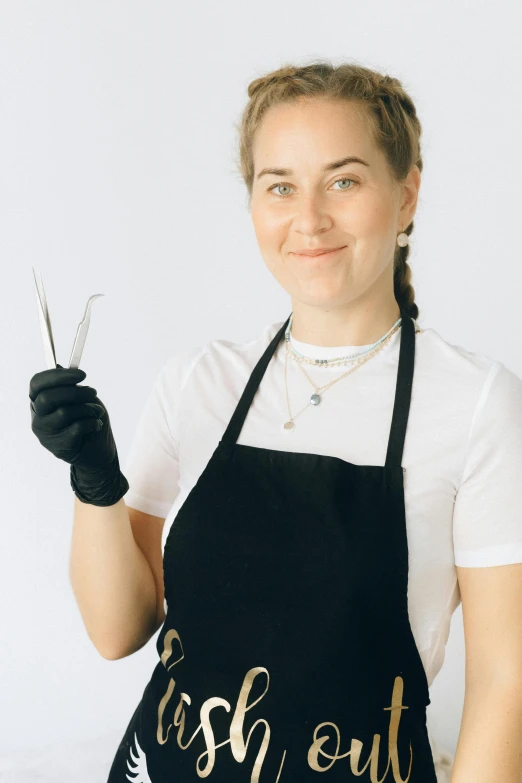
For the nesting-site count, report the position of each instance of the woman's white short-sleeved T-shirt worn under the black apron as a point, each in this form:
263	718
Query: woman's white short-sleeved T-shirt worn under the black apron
462	452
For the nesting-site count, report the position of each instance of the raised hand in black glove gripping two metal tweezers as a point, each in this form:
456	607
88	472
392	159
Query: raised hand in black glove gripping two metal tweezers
73	424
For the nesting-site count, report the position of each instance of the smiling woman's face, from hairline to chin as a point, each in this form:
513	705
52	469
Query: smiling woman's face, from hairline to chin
355	206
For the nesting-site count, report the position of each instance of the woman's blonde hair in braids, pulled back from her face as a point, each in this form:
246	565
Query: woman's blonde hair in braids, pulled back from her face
385	105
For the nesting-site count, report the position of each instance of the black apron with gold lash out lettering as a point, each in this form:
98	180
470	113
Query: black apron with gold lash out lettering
287	649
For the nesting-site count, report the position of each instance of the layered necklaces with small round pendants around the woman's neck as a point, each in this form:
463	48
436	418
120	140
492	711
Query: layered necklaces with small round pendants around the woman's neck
354	359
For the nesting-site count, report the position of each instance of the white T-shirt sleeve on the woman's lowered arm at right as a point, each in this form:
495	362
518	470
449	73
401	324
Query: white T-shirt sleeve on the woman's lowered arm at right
487	515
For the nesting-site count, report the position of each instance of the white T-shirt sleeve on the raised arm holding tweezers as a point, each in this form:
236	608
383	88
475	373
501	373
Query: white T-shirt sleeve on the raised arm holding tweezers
152	463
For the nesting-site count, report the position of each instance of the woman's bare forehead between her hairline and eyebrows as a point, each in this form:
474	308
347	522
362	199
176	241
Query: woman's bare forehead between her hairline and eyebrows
315	130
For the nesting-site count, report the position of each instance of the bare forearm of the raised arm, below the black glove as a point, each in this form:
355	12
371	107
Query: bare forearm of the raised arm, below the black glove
111	579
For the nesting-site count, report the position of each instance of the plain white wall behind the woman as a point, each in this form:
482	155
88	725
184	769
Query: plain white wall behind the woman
117	176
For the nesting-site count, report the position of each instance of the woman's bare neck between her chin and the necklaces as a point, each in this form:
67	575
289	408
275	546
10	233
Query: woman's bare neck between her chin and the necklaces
352	324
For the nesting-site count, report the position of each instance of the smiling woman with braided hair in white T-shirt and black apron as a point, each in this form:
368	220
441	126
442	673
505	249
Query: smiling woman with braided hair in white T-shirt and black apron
310	569
